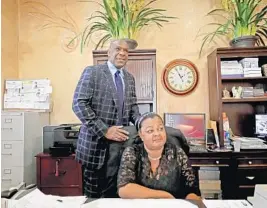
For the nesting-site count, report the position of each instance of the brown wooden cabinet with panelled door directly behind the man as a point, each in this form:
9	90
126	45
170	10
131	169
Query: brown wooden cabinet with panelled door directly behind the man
142	65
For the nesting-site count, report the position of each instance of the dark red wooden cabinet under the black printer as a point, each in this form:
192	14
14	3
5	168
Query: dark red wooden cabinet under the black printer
59	175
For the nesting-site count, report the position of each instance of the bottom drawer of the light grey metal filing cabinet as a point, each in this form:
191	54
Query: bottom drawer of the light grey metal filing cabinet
11	177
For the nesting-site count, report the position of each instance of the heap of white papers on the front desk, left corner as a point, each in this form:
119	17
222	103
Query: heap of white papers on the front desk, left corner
37	199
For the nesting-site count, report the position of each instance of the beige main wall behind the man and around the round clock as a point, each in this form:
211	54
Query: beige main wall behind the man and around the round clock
44	27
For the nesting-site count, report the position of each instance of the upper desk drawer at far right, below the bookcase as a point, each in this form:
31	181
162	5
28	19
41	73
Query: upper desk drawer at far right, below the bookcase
252	163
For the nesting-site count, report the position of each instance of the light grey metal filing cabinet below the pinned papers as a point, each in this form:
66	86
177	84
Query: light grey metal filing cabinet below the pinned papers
21	135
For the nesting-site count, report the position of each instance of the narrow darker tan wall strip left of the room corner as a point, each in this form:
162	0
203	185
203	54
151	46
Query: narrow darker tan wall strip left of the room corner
9	40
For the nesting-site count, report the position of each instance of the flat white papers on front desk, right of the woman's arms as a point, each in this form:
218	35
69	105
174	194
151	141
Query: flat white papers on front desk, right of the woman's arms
226	203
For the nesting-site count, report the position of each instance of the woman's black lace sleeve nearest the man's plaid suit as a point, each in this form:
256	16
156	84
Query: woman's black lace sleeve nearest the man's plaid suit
127	170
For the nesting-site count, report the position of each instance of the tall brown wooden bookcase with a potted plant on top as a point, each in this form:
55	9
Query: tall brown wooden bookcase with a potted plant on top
241	112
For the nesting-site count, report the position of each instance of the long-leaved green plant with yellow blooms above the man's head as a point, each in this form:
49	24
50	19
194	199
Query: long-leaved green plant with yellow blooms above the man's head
121	19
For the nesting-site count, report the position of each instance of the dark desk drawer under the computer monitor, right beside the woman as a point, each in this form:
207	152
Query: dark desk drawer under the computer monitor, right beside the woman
210	162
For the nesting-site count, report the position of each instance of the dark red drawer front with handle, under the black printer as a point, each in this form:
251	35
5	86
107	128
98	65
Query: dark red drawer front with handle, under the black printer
59	172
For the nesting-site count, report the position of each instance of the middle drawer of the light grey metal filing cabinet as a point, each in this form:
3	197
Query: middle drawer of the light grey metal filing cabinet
12	153
